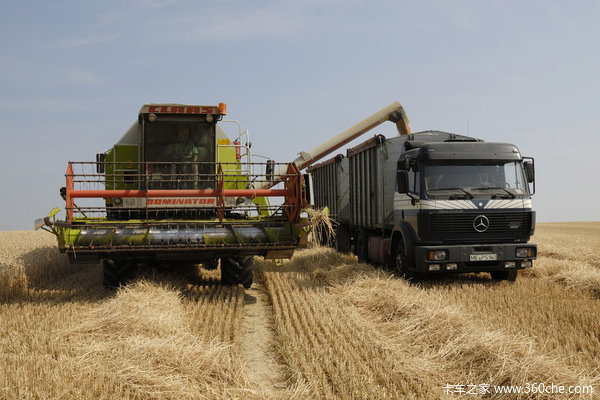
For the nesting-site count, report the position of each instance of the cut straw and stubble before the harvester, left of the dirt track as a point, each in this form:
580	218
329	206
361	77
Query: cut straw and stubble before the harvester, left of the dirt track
150	341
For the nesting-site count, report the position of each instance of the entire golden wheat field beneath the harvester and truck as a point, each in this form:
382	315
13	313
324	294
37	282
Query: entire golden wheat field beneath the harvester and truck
321	325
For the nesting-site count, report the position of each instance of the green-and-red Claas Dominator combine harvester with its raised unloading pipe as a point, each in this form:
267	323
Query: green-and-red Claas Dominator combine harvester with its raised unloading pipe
176	189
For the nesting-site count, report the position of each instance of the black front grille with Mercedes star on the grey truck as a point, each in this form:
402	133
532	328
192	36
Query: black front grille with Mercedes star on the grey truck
453	227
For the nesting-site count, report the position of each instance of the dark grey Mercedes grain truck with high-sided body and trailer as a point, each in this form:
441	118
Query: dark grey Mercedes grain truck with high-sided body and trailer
431	203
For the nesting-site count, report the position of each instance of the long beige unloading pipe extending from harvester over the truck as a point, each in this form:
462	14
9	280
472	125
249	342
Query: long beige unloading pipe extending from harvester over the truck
394	113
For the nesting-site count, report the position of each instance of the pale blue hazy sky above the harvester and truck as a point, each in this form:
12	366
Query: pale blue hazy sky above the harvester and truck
74	74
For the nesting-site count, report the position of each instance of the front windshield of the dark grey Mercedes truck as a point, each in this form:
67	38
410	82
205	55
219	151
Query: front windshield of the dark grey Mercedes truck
505	180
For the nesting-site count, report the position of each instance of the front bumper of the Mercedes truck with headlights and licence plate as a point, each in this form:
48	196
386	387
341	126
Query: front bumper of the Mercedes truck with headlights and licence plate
474	258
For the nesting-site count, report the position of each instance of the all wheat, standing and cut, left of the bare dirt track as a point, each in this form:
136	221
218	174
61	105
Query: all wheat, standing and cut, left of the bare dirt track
63	336
